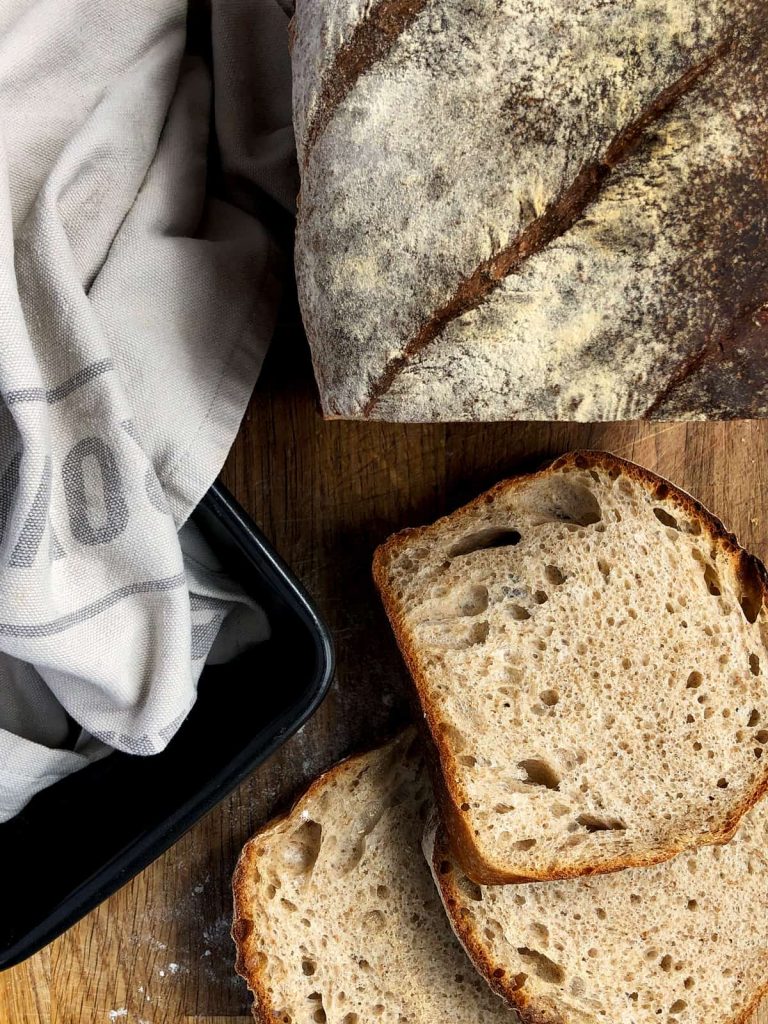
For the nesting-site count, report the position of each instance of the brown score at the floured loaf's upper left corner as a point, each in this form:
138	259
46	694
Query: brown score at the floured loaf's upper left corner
371	42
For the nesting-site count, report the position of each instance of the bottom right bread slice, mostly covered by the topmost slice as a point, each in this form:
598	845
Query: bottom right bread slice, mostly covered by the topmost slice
684	943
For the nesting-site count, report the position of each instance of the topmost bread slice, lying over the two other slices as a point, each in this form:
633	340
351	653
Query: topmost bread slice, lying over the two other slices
589	650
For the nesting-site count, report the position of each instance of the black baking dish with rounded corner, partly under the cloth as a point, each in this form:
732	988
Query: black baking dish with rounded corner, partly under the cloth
82	839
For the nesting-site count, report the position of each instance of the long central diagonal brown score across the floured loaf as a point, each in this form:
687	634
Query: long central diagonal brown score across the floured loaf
559	219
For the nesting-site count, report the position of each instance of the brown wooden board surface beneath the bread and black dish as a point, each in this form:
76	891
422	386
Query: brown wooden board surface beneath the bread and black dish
326	494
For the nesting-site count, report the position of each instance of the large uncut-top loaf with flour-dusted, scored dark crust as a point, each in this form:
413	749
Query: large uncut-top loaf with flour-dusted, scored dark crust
518	210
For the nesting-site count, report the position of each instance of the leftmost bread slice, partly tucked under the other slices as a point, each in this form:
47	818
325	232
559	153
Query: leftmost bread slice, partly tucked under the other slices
336	916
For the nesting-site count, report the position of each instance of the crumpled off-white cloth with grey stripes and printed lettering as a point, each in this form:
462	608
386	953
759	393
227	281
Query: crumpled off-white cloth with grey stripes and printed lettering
138	297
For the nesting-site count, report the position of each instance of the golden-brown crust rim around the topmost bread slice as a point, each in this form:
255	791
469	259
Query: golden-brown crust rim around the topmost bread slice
748	569
